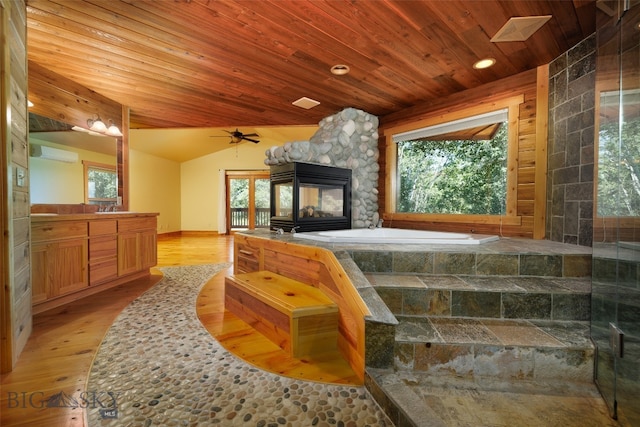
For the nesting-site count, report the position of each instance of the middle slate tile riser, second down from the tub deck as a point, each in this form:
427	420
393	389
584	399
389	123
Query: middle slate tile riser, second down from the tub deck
481	304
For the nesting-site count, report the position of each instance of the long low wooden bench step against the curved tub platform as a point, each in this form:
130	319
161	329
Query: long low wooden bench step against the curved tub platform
297	317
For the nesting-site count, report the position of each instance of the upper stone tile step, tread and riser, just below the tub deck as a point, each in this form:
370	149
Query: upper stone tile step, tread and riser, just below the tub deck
485	297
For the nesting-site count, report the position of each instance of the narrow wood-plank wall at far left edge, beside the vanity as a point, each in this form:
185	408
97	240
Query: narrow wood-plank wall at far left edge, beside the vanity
15	299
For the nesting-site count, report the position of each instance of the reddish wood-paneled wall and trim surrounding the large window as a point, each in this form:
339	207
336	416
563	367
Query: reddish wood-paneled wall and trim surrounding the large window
530	165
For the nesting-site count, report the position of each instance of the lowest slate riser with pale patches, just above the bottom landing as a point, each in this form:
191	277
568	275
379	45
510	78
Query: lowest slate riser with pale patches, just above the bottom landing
476	361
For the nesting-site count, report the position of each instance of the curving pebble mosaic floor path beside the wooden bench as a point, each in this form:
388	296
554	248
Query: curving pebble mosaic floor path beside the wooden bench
158	366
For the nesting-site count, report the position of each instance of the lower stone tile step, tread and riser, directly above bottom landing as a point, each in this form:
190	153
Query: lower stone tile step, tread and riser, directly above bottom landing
494	348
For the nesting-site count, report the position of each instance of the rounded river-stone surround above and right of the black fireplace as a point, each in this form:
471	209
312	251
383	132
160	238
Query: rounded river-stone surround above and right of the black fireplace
348	139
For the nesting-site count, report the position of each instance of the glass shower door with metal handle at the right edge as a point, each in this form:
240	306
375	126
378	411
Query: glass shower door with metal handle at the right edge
615	323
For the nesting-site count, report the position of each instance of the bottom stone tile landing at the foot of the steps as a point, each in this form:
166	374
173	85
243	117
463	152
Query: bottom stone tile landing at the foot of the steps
412	398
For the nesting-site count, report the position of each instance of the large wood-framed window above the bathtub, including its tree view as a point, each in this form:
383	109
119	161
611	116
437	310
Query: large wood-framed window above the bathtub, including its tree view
459	166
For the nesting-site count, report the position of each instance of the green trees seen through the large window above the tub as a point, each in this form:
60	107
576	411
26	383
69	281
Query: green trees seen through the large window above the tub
453	176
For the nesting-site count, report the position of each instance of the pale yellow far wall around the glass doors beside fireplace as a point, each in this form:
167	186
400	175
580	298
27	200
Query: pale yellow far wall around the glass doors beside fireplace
200	183
